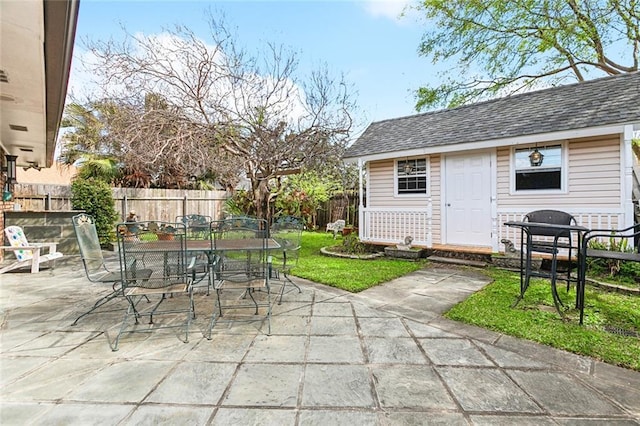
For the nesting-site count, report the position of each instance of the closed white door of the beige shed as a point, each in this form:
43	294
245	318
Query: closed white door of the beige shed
467	199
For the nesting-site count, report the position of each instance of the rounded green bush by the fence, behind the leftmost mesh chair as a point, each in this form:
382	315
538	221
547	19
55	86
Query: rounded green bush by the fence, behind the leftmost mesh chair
95	198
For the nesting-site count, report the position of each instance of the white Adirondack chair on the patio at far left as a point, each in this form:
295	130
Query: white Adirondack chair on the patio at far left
28	254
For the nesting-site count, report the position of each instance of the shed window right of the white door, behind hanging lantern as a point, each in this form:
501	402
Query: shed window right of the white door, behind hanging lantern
545	176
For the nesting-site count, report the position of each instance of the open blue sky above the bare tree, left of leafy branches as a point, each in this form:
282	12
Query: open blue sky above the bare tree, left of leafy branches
366	40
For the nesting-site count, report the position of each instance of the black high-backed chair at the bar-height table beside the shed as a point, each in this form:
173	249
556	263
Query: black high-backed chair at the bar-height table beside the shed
550	241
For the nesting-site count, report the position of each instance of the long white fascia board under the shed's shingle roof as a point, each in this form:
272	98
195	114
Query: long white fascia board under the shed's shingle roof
494	143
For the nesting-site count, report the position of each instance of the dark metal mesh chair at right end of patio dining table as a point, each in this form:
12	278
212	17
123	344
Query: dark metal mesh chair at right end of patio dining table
287	231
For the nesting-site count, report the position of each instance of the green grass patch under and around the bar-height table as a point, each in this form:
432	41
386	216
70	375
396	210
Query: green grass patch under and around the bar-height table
535	318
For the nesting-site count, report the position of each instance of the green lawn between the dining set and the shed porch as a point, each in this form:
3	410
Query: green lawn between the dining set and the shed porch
352	275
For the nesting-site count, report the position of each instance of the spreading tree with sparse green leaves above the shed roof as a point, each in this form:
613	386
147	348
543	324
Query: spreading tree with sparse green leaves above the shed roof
502	47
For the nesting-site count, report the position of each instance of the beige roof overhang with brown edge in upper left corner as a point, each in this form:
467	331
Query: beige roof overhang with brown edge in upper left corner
35	58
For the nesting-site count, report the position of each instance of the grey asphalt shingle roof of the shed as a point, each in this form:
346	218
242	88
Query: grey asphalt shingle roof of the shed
601	102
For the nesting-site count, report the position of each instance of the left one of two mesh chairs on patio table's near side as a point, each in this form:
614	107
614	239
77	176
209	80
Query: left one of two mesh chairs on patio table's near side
168	283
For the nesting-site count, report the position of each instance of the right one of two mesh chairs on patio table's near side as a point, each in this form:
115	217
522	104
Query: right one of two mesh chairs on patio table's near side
241	273
